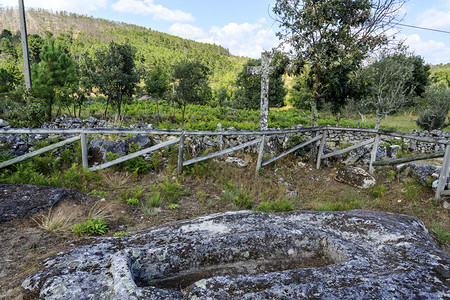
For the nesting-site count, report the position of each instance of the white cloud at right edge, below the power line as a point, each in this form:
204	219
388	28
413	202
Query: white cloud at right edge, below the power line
432	51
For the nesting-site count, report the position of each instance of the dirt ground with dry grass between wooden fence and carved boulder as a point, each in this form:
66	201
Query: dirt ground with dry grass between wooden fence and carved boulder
26	242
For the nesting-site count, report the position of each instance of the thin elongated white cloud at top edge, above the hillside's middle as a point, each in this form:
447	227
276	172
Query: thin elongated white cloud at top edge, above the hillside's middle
147	7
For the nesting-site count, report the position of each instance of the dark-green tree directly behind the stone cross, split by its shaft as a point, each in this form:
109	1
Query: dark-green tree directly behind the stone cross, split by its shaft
248	94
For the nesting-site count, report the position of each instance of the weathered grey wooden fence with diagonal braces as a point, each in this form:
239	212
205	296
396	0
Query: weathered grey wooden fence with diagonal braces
321	134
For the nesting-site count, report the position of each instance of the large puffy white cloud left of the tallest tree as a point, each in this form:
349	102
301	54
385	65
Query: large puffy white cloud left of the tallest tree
244	39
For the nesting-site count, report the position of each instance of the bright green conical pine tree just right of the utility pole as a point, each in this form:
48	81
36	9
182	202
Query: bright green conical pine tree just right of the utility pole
54	77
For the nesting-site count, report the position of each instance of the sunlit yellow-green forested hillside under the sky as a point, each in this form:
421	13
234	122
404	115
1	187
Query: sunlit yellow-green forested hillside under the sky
84	33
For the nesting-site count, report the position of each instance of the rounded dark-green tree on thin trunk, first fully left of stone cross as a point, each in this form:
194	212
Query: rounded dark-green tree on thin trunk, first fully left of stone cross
191	84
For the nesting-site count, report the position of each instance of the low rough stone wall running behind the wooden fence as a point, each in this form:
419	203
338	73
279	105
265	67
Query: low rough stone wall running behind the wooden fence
197	144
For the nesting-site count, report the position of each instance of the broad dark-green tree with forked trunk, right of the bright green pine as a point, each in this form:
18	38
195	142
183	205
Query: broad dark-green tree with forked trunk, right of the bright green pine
112	72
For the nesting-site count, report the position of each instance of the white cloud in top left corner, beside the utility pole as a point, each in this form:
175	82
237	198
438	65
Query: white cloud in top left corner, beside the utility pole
79	6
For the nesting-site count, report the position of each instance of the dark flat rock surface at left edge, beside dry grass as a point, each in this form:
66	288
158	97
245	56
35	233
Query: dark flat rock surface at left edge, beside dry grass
20	200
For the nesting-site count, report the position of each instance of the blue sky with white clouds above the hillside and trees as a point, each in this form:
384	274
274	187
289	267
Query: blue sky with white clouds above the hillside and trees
246	27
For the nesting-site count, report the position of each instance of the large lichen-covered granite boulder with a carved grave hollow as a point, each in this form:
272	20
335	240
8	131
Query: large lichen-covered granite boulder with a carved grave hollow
252	255
